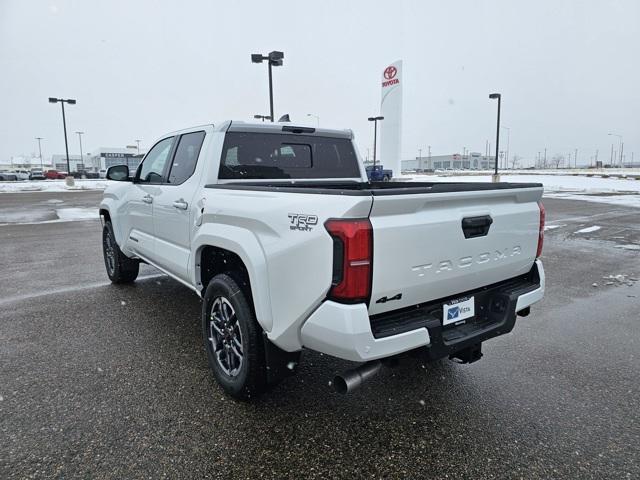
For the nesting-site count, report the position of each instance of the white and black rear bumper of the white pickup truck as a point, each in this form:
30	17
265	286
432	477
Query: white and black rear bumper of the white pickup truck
347	331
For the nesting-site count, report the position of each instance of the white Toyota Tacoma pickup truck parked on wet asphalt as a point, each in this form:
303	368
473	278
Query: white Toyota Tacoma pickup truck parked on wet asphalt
289	246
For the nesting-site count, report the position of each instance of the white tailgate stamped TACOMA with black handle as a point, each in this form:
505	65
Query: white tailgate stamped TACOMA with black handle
421	252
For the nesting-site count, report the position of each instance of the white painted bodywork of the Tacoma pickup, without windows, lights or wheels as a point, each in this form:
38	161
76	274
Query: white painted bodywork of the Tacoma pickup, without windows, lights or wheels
290	270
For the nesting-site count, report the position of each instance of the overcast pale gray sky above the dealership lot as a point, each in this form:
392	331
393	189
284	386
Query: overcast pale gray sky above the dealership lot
568	70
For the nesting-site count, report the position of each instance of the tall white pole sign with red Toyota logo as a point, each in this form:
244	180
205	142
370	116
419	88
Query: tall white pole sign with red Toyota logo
391	110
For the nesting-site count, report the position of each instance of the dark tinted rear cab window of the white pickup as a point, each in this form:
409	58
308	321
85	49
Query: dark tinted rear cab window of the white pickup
260	156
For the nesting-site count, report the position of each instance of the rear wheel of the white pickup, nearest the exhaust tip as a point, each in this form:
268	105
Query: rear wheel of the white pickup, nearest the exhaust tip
233	339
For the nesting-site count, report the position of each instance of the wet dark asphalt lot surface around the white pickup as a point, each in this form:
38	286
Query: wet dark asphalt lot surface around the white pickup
100	381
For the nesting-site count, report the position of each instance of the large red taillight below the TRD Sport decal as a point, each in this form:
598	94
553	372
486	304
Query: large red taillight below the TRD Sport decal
352	259
